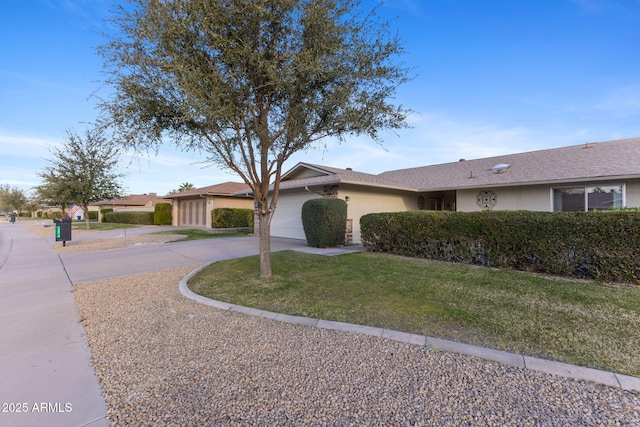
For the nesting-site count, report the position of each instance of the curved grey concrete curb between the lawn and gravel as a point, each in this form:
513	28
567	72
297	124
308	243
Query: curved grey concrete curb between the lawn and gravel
610	379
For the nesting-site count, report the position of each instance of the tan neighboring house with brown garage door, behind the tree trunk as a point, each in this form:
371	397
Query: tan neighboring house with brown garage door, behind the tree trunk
193	207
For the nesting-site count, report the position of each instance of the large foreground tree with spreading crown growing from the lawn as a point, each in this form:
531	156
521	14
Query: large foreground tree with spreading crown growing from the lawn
251	82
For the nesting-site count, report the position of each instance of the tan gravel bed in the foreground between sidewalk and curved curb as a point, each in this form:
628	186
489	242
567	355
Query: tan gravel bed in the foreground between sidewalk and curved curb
163	359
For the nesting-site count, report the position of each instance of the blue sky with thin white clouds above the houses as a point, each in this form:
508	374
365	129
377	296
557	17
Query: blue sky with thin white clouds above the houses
493	77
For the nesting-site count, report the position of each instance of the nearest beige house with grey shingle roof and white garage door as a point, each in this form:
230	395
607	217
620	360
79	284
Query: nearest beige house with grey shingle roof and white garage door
585	177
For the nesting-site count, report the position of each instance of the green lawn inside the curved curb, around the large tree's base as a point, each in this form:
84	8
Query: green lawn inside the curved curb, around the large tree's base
579	322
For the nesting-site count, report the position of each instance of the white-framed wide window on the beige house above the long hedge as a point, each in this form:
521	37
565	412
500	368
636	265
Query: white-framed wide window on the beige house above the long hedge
588	198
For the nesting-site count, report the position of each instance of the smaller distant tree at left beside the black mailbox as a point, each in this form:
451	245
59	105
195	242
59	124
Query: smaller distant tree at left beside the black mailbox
82	171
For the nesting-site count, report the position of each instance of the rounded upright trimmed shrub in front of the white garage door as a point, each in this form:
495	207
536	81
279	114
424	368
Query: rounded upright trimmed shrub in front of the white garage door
324	222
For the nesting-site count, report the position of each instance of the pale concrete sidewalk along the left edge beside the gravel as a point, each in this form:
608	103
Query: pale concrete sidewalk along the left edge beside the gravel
46	376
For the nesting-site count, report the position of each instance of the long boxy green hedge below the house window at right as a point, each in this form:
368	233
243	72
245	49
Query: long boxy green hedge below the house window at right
595	245
